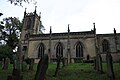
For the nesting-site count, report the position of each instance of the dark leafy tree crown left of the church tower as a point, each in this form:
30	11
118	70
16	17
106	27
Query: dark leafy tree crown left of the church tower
10	31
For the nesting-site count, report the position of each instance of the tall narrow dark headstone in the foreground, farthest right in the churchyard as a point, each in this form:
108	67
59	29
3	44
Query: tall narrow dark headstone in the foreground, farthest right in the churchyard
110	71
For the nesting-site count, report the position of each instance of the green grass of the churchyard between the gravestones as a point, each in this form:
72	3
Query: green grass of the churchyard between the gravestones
77	71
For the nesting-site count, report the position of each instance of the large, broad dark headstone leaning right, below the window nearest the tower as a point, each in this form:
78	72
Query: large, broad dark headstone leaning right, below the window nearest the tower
42	68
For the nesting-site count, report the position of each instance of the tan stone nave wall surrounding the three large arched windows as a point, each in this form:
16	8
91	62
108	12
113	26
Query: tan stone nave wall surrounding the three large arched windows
88	45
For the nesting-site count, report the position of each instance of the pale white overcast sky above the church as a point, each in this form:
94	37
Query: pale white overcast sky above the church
80	14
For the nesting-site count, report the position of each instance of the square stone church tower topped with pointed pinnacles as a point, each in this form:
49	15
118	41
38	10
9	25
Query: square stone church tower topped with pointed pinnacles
31	25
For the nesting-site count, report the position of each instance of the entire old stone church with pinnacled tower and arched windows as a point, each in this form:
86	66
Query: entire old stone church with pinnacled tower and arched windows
70	45
